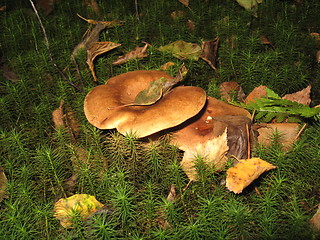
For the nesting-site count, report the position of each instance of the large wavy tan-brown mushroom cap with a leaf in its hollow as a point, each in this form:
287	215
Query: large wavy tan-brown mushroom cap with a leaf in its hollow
180	104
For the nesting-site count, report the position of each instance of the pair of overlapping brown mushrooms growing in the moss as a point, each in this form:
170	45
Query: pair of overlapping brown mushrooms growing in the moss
192	118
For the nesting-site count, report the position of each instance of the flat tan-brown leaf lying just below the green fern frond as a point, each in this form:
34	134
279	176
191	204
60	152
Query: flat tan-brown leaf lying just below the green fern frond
287	132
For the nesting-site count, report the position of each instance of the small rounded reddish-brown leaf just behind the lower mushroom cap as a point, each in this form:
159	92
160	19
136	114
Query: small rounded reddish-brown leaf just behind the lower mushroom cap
230	90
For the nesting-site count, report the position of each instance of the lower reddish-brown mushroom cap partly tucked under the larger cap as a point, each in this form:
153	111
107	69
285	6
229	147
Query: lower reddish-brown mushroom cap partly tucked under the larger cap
211	123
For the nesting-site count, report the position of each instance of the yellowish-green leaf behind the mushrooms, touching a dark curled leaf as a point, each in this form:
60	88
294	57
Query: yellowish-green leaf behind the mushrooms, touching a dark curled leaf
182	50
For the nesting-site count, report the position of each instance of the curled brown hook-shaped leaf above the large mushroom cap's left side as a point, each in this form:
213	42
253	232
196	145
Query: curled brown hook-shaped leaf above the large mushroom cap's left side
95	50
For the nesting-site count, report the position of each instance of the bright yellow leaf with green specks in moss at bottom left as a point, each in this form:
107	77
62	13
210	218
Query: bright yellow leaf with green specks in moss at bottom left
82	205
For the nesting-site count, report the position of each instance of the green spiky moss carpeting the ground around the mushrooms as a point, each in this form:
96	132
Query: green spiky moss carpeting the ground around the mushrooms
130	176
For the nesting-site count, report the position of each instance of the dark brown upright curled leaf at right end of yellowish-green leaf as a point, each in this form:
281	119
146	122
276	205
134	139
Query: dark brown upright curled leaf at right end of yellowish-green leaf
209	52
